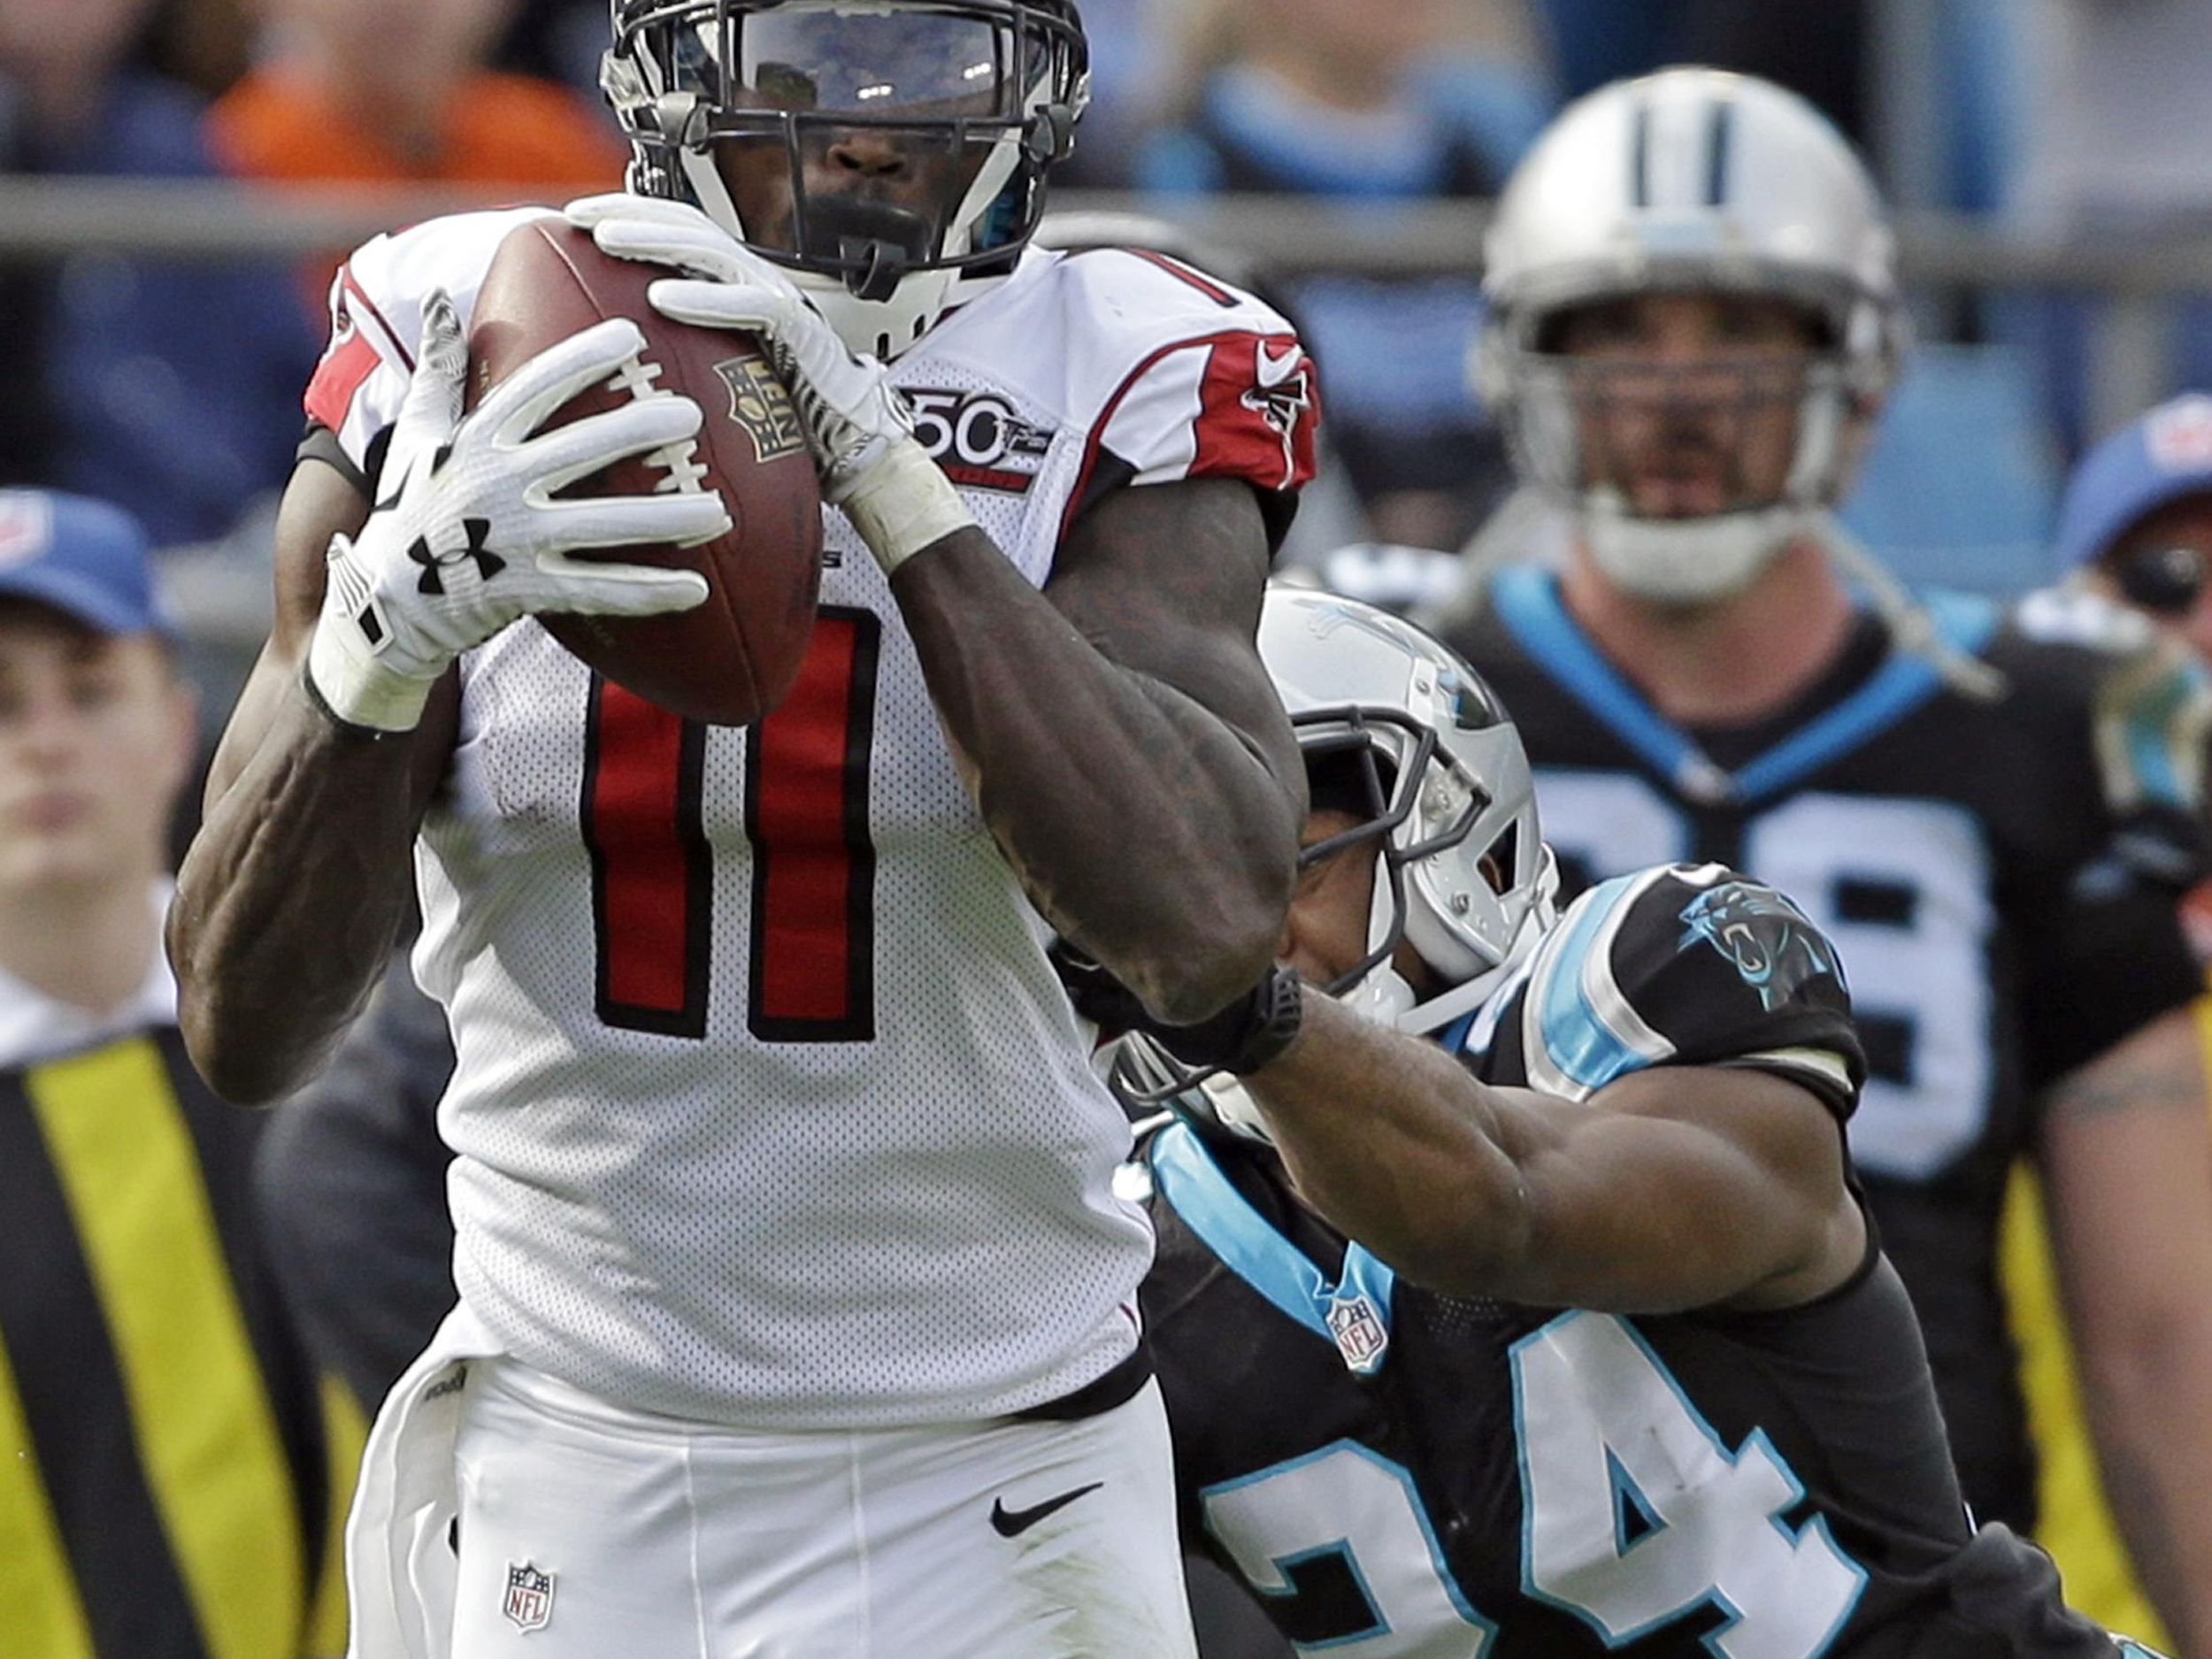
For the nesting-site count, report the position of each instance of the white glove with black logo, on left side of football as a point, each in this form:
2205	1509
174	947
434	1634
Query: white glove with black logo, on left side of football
470	536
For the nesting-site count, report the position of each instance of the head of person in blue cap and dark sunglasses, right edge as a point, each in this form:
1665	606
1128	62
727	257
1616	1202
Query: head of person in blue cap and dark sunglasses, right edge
2138	519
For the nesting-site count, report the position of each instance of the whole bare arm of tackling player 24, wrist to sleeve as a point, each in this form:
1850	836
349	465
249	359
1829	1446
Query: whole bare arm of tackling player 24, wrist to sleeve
1673	1189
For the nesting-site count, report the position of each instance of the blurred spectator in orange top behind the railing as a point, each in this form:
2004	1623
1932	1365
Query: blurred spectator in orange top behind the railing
399	90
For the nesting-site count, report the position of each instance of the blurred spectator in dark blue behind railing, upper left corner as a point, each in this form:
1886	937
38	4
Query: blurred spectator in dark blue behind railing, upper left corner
158	386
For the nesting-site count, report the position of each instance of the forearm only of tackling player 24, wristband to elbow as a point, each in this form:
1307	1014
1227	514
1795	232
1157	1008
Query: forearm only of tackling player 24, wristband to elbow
1392	1142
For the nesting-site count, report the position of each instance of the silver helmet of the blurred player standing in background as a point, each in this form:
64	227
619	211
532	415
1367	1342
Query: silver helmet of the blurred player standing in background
1691	180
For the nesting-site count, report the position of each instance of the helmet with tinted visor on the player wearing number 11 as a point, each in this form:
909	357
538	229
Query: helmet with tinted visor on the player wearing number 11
983	94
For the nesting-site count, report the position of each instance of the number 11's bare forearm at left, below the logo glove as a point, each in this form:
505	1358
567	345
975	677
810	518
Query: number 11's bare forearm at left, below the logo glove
291	899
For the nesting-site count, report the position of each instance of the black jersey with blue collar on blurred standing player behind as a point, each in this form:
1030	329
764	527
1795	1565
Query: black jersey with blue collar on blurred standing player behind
2001	879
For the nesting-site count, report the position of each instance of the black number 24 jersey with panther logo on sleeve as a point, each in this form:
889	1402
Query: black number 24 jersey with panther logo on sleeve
1419	1477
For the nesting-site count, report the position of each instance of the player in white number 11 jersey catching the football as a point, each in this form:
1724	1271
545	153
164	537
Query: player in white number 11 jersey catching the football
797	1311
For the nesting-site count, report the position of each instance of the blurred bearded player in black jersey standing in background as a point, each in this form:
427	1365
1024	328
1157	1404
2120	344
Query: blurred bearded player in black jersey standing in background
1693	326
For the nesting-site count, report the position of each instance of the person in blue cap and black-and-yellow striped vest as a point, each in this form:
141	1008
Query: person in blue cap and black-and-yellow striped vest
165	1463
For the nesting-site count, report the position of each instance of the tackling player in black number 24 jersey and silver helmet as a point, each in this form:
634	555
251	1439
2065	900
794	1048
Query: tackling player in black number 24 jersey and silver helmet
1554	1324
